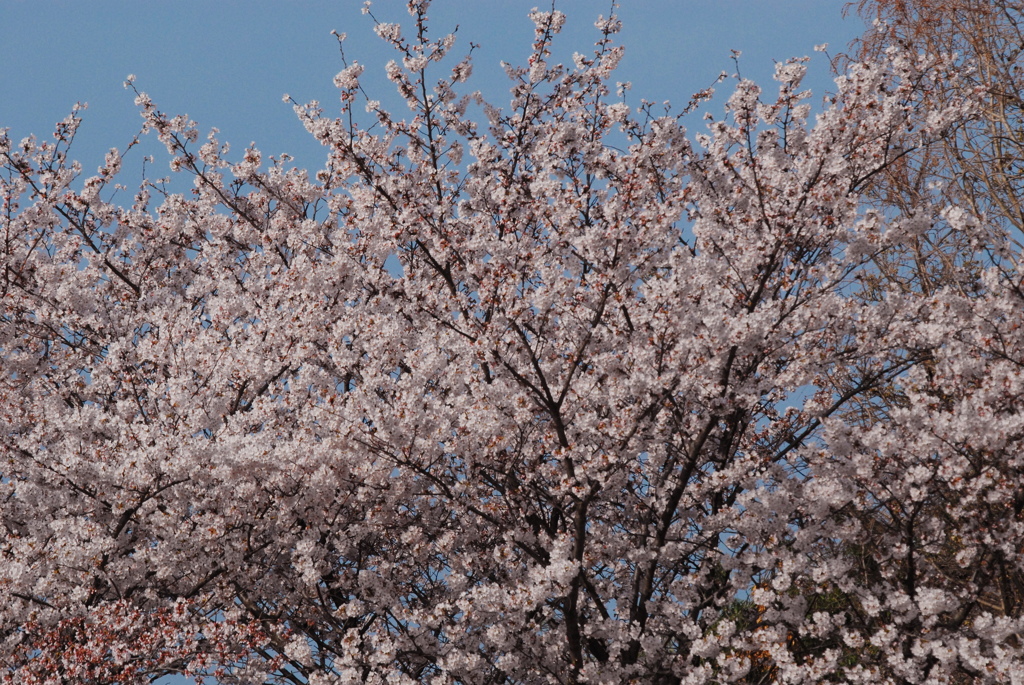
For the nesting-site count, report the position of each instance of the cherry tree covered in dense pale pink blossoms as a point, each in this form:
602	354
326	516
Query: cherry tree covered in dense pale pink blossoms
553	393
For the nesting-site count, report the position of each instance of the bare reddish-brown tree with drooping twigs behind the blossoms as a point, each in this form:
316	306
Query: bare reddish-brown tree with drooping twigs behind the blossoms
977	164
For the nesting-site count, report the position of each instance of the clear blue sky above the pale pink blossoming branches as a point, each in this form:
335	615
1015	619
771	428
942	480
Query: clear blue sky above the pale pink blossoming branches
228	63
